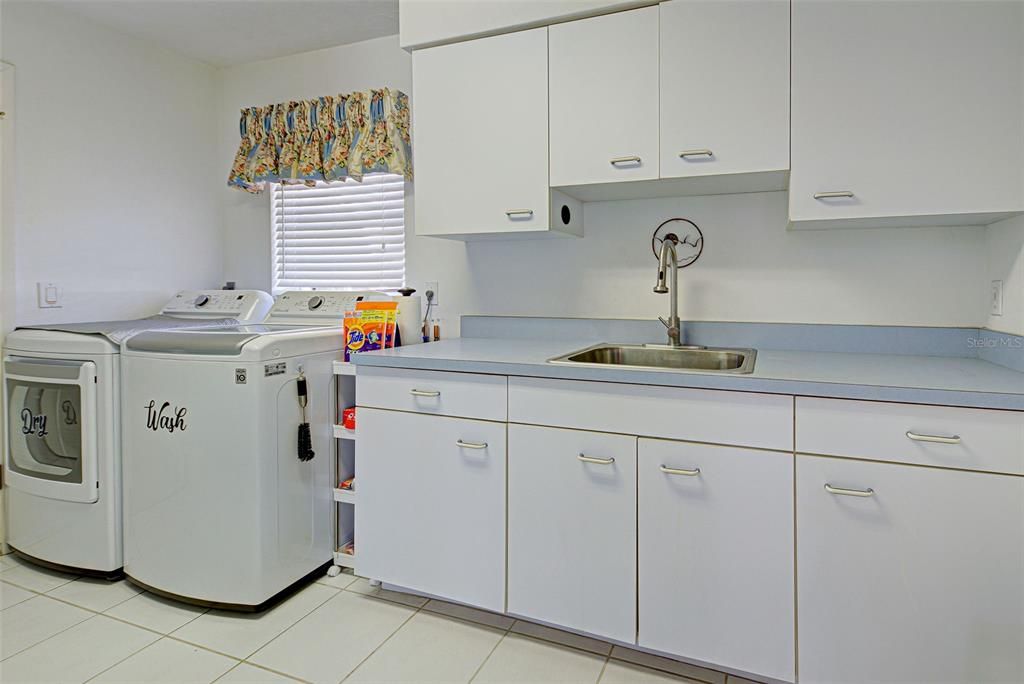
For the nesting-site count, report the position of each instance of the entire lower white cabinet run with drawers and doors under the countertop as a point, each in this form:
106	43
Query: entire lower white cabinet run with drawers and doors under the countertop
726	555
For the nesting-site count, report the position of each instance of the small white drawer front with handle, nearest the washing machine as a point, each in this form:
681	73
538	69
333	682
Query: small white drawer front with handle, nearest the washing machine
460	395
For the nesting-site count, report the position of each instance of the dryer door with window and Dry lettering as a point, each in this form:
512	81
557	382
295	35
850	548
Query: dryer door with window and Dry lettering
52	429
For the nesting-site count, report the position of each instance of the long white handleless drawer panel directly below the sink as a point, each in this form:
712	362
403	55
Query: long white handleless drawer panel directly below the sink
748	419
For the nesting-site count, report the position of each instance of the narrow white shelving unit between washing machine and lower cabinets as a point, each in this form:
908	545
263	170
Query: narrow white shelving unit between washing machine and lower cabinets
345	514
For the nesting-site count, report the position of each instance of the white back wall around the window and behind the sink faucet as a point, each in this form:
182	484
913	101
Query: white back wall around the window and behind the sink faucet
753	269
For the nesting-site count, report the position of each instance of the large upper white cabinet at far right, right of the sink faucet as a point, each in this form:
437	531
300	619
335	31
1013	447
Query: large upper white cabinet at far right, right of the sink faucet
907	113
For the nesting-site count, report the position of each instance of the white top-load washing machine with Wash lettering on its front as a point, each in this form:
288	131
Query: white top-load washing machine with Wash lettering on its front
220	509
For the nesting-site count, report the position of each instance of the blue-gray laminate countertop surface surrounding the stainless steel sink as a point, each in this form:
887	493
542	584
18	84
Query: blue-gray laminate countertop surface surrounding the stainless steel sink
917	379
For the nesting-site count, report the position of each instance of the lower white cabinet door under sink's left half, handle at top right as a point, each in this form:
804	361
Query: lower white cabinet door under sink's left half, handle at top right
573	530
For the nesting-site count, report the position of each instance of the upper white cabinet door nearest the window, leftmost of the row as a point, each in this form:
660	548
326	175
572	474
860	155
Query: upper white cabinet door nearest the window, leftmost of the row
481	136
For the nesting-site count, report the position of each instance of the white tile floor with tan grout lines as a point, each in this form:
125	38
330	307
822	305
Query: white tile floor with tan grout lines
59	628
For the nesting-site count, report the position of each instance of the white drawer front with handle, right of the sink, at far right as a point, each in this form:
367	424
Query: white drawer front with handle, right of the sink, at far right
945	437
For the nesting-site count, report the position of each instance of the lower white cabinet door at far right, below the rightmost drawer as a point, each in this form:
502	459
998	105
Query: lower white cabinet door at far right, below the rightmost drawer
923	581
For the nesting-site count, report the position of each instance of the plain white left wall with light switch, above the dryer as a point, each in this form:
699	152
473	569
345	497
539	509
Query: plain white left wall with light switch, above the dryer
115	195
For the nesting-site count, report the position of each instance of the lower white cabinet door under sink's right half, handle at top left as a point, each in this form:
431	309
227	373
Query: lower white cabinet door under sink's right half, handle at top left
716	555
